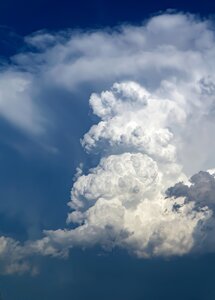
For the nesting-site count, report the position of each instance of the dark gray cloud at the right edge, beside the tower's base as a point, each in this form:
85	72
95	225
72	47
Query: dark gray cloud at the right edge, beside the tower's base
201	192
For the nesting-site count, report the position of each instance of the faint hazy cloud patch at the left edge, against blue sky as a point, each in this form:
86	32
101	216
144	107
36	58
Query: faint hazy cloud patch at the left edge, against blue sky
17	103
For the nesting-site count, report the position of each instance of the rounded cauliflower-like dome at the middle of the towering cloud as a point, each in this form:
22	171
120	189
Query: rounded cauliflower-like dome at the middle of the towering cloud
118	176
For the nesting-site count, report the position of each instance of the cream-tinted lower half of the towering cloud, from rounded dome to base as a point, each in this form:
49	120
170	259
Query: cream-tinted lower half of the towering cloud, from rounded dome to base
125	208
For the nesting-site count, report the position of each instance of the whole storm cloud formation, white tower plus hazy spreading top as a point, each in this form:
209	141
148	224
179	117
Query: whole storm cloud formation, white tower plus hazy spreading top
154	97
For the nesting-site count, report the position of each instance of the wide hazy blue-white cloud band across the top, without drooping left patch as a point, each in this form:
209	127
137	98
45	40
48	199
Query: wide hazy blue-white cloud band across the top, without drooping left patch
148	53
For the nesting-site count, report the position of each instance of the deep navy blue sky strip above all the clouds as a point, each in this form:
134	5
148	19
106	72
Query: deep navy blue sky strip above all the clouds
26	17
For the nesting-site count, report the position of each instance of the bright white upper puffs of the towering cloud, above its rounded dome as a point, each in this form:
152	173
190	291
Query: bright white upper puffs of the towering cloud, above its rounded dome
133	120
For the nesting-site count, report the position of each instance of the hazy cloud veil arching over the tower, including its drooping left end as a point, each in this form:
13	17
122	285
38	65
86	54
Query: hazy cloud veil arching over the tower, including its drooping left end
149	54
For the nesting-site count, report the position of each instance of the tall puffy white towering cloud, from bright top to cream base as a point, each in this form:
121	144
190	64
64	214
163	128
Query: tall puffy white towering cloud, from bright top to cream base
123	201
